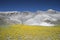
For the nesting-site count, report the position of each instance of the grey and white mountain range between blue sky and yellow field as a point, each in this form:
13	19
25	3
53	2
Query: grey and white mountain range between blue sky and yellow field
42	18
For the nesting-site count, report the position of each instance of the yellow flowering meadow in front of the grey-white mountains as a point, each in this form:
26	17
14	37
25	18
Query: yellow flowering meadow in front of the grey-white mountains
27	32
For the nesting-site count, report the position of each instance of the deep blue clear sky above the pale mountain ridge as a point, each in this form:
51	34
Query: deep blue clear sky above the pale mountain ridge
29	5
